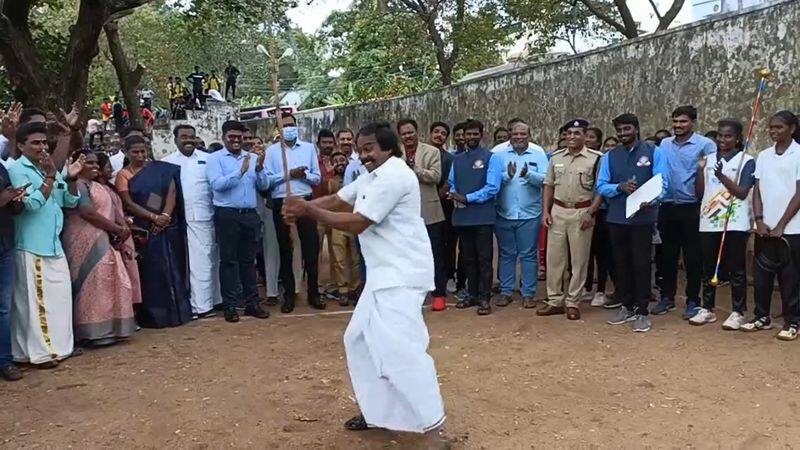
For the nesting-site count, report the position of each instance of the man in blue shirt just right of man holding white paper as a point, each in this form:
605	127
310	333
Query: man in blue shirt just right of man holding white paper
679	213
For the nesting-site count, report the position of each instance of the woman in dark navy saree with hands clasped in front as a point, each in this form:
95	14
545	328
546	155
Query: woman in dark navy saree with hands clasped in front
150	192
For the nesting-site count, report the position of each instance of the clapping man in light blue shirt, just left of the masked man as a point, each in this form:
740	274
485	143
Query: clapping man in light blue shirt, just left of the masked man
235	176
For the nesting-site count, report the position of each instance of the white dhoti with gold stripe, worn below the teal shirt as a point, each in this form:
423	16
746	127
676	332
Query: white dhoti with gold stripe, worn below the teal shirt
41	312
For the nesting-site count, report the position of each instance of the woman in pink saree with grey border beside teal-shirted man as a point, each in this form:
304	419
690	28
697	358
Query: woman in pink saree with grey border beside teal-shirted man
102	289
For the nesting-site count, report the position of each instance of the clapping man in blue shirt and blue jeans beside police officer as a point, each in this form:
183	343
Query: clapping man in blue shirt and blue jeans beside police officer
519	213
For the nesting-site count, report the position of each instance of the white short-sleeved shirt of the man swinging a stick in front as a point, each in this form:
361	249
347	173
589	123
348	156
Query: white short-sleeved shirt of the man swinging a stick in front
396	248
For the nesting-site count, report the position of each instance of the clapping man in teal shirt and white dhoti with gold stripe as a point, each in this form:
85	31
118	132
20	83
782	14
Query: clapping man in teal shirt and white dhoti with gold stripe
41	312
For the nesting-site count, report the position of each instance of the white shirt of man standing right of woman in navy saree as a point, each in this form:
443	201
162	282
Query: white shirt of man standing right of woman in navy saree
195	187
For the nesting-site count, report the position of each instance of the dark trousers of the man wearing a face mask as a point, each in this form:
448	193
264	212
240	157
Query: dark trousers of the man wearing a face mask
309	247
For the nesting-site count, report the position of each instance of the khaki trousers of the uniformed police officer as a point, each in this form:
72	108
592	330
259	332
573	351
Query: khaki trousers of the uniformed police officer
565	239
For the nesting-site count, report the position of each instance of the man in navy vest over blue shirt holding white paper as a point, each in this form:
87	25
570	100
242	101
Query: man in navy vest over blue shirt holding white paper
629	165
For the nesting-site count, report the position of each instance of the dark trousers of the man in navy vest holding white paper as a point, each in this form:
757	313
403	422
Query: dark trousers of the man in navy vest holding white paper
632	246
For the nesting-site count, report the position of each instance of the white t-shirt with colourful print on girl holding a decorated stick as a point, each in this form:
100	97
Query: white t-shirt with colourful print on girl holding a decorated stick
717	201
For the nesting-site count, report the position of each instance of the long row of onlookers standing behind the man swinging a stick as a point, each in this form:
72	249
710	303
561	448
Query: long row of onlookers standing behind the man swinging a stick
97	238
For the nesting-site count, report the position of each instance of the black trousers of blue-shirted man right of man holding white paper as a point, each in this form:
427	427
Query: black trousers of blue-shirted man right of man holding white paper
679	227
